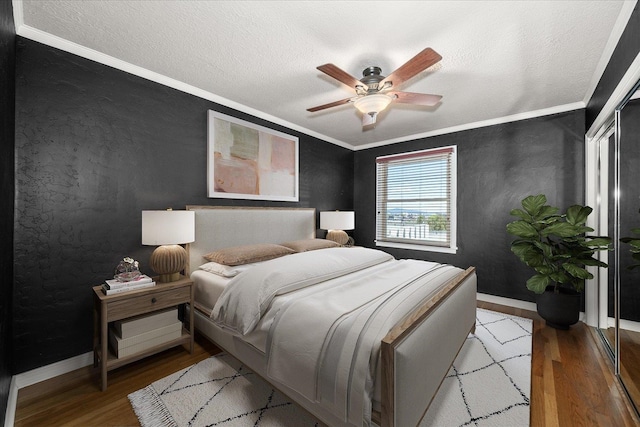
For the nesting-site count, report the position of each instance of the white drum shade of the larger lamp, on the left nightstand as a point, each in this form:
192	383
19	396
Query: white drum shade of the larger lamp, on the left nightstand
168	227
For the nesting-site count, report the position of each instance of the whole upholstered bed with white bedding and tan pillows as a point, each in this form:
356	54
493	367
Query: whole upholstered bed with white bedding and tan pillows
382	356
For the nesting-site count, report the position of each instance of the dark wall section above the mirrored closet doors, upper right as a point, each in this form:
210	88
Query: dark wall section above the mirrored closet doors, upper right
625	52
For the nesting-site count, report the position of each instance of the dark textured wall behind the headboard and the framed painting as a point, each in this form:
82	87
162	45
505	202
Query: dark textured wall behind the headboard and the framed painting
94	147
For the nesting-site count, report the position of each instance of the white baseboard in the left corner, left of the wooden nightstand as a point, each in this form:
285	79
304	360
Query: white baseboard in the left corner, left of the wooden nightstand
37	375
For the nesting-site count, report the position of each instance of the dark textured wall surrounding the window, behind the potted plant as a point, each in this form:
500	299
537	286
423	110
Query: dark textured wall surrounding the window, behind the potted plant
497	167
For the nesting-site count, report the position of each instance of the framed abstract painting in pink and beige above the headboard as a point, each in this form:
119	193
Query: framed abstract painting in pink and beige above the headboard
248	161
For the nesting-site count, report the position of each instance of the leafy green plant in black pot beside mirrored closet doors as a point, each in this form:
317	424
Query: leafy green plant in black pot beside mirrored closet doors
554	244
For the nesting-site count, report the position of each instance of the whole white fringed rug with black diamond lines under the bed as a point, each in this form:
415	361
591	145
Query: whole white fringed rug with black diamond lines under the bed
488	385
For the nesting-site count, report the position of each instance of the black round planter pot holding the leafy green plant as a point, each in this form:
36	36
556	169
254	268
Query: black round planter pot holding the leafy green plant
560	310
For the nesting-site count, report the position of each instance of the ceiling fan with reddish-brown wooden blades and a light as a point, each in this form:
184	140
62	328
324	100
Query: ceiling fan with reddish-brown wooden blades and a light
374	92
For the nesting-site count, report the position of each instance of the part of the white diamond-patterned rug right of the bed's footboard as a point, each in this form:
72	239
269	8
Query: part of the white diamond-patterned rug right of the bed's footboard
489	383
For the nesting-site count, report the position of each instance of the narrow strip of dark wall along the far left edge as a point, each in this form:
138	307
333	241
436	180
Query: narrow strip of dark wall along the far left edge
7	142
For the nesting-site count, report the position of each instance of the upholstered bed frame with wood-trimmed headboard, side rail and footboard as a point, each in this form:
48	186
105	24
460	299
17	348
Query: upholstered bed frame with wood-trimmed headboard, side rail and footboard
415	355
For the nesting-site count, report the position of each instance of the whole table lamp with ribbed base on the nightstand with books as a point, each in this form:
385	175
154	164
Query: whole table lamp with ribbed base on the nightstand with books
168	230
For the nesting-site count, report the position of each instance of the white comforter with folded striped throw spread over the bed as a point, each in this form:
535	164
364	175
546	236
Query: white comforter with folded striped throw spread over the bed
325	344
